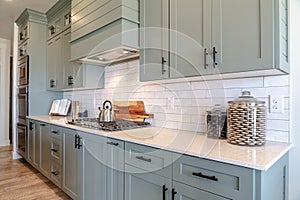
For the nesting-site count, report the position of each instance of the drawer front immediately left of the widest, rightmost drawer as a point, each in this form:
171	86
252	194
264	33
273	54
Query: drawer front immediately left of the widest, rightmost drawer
143	159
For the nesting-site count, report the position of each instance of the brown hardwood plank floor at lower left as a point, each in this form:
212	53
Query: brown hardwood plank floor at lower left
19	180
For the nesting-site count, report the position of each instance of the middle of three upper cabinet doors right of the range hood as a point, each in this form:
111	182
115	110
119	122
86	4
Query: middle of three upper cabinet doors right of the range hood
188	38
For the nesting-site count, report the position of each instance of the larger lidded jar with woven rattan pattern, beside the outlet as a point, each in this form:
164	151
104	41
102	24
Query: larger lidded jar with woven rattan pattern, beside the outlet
246	121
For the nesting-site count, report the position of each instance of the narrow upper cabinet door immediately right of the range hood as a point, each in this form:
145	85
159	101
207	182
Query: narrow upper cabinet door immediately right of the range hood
154	48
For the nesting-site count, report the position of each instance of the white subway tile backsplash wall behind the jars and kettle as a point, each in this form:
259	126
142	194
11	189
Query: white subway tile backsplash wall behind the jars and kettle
183	105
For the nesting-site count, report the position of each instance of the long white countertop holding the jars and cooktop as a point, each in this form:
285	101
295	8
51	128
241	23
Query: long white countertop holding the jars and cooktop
190	143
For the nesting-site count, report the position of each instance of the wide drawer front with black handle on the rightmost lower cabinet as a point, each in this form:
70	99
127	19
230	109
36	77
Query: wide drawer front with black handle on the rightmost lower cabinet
223	179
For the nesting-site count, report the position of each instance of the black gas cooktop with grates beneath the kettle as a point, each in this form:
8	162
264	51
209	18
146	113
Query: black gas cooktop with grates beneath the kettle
117	125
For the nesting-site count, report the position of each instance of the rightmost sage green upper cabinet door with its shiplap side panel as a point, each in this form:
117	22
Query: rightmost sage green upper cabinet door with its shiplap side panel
249	35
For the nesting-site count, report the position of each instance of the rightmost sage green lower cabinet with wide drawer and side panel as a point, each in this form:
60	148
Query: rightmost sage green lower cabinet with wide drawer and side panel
216	180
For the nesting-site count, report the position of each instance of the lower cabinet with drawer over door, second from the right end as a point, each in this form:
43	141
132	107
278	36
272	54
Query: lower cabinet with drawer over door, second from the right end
148	173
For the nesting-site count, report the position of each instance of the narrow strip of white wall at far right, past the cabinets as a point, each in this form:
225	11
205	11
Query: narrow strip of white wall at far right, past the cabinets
295	99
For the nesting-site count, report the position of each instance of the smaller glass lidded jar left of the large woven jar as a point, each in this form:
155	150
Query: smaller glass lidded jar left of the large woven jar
216	122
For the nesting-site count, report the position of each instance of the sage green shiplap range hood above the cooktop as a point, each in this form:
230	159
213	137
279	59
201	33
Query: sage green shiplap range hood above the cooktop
112	36
